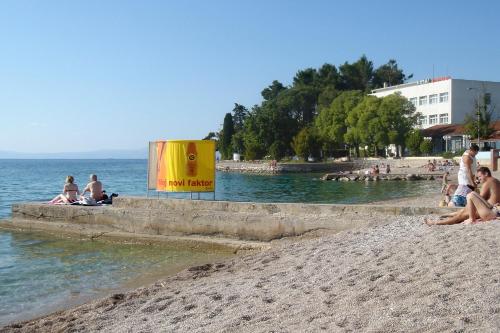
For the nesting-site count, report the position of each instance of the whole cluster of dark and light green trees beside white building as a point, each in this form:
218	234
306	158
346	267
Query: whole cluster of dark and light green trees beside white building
322	113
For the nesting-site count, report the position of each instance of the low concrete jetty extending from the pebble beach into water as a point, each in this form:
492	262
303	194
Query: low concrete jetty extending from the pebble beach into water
247	221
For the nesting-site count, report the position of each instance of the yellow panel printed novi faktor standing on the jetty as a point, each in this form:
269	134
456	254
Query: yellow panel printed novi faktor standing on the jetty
185	166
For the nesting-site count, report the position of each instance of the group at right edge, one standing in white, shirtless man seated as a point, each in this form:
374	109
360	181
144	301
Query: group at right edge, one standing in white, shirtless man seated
479	206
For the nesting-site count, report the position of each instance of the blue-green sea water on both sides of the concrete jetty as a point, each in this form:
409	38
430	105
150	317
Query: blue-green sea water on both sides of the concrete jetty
41	273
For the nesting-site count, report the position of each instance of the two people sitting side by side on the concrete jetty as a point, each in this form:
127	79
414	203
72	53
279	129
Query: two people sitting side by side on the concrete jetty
71	193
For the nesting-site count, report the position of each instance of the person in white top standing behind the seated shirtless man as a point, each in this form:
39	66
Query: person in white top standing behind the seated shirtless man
466	172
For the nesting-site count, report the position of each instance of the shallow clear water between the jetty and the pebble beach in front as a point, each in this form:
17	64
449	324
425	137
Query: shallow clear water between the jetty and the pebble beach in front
39	273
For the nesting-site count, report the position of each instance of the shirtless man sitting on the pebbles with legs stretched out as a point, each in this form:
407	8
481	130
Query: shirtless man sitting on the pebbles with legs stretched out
482	206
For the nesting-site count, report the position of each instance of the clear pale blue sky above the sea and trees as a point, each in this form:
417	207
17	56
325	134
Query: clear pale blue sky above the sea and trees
90	75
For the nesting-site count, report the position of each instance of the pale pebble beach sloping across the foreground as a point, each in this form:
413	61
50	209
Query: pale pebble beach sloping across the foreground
399	276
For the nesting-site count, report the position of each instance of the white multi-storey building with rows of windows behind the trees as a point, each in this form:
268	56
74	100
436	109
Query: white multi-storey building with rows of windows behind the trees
445	100
